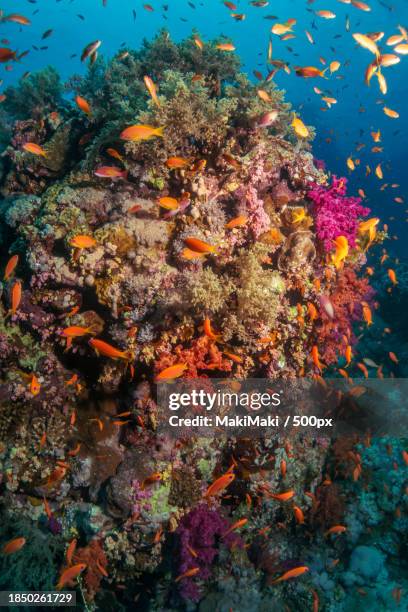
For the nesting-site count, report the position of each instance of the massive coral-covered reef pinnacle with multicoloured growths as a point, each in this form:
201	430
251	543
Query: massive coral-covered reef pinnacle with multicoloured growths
205	246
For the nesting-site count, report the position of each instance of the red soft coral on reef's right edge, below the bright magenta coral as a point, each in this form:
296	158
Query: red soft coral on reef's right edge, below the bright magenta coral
349	292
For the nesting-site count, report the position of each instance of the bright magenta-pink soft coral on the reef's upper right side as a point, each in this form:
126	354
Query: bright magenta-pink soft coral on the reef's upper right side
335	213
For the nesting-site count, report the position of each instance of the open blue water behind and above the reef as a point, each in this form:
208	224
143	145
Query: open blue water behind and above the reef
126	22
